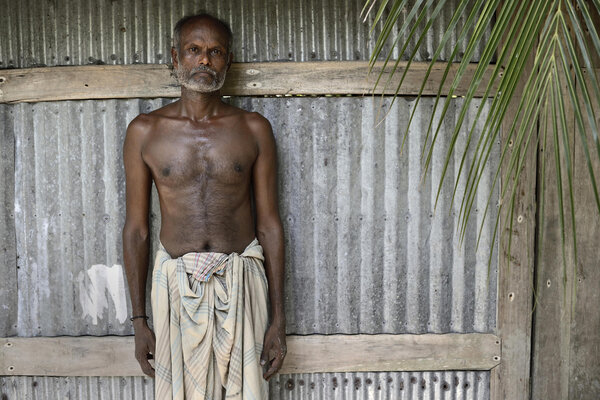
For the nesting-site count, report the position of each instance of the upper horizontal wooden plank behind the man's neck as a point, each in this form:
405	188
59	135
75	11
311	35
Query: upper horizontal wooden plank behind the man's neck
244	79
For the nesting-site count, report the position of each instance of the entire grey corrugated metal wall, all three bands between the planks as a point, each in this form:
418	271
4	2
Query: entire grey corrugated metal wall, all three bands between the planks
365	252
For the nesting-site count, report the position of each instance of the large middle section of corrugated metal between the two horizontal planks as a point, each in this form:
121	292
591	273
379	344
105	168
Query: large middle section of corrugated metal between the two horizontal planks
365	252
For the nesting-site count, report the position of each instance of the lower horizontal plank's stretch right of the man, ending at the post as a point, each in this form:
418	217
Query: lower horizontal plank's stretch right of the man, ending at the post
339	353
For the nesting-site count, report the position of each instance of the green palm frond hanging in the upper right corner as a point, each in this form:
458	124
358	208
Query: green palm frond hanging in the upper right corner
544	39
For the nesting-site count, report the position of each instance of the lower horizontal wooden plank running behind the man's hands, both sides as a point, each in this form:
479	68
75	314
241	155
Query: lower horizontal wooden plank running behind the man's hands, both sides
113	355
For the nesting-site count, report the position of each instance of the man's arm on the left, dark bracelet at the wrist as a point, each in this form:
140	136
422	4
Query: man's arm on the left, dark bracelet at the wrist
136	237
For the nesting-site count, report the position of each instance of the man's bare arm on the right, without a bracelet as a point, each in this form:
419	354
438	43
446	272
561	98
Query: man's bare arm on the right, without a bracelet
270	234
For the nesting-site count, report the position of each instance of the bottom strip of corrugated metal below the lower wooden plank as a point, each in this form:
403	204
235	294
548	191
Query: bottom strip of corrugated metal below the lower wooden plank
447	385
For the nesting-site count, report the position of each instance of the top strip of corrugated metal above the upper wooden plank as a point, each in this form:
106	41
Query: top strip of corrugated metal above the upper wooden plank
79	32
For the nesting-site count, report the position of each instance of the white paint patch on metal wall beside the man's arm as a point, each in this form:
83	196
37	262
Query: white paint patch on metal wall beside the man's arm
98	284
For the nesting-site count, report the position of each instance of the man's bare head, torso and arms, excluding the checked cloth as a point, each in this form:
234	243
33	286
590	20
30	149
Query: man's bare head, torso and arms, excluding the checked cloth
207	159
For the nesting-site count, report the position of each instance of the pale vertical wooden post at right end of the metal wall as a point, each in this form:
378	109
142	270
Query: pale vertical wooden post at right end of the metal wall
510	380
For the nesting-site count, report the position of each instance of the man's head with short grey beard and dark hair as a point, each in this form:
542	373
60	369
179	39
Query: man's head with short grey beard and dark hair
202	60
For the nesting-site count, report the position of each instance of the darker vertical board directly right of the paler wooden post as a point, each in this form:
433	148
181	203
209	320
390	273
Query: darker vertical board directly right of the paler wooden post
550	352
